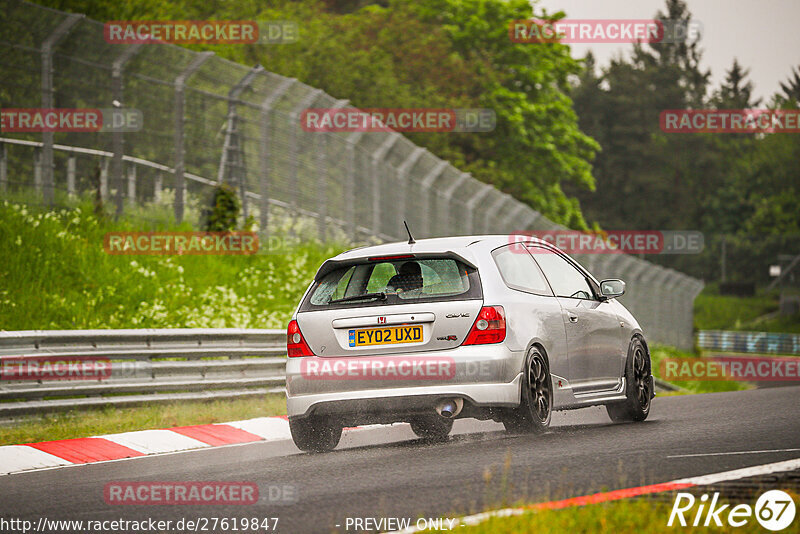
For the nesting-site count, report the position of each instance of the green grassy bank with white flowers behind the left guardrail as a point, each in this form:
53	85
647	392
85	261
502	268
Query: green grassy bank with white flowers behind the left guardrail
56	275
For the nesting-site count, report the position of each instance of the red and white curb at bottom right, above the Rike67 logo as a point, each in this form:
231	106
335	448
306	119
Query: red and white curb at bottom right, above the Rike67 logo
627	493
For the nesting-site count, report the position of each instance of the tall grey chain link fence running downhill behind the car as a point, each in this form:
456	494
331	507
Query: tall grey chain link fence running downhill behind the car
209	120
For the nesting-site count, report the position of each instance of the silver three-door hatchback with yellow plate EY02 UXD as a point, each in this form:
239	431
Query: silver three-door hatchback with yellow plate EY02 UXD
480	326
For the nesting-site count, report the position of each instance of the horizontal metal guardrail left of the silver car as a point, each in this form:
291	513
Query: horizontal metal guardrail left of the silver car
142	366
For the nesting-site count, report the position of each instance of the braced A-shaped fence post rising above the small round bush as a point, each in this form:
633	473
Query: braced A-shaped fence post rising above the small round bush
232	162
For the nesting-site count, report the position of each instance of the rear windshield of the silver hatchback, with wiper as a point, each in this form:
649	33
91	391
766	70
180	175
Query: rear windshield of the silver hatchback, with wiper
395	282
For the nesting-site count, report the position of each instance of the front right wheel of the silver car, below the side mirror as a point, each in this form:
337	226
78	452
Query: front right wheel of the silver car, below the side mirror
638	386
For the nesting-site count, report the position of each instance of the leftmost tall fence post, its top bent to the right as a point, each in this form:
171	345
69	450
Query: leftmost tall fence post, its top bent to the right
46	164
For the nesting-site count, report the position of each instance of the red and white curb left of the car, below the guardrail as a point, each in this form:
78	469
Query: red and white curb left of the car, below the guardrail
67	452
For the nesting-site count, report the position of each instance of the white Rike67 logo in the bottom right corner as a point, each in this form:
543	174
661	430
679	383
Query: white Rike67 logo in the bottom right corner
774	510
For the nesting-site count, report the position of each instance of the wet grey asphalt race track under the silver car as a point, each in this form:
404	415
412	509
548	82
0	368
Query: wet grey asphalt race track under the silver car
387	472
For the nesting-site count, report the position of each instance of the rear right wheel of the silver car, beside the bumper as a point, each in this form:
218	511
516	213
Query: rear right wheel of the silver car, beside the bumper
536	403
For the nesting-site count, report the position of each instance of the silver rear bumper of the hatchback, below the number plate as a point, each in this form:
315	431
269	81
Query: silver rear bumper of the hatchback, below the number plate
484	376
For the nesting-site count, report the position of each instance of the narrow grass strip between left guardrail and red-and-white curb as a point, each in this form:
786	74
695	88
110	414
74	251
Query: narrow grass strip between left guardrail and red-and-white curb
110	420
